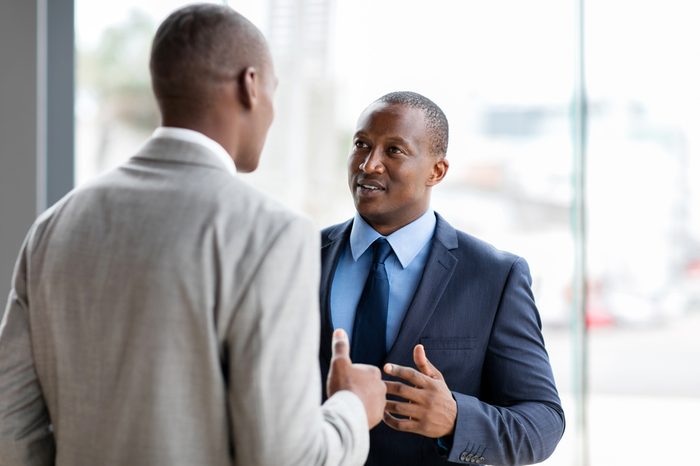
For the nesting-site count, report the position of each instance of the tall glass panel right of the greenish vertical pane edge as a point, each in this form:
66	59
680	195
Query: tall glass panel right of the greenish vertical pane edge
644	229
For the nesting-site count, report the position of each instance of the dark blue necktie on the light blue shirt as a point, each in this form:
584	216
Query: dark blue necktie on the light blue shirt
369	328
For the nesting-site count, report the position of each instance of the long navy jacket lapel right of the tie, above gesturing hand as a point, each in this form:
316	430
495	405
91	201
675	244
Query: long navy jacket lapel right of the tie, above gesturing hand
436	276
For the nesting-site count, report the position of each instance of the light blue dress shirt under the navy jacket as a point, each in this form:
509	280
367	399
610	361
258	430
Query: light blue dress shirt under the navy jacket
411	246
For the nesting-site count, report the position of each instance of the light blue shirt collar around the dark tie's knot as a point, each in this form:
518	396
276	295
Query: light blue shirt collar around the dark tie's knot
406	242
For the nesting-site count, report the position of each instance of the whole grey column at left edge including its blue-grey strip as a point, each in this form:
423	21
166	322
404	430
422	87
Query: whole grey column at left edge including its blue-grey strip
36	117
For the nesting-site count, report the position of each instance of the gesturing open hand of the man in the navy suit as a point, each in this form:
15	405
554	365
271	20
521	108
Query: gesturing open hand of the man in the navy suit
429	408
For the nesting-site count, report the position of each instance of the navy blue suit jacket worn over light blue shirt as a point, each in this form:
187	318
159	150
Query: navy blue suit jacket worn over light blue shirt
475	314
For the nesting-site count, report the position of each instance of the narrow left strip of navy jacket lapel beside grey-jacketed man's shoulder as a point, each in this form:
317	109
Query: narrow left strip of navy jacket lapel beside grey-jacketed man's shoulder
332	245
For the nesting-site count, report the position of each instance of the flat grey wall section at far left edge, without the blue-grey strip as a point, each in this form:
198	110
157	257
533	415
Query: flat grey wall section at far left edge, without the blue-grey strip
19	130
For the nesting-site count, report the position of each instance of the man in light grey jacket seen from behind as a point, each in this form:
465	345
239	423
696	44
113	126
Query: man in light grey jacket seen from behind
166	313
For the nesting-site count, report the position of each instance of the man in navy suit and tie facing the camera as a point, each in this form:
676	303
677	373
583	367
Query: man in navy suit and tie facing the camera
459	335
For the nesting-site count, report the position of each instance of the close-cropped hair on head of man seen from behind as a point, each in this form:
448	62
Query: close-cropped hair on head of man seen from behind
197	50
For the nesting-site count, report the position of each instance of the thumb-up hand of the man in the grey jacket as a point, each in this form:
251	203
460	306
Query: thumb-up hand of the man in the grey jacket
363	380
